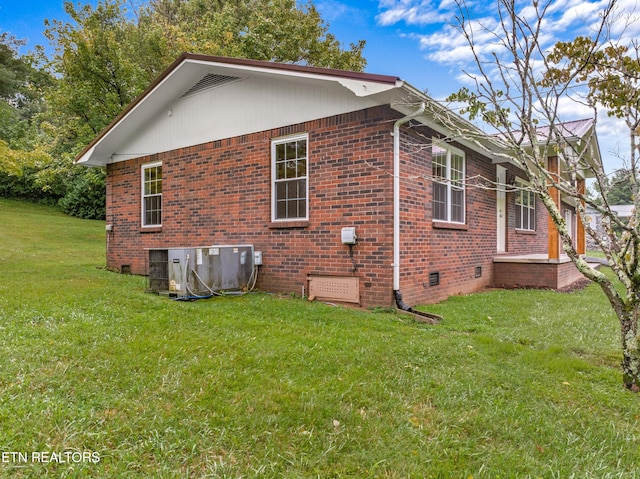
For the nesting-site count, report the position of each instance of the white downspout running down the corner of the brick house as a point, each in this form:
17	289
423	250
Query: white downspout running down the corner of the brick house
396	205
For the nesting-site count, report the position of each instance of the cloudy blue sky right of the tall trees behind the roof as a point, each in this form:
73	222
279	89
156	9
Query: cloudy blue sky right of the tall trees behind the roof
417	41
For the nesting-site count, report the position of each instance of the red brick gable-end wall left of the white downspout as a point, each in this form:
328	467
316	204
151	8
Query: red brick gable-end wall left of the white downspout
220	193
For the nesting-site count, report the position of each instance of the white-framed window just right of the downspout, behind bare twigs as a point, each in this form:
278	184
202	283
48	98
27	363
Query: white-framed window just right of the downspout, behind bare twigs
448	169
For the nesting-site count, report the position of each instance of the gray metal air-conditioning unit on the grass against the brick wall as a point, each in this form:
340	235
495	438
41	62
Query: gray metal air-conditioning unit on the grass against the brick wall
192	272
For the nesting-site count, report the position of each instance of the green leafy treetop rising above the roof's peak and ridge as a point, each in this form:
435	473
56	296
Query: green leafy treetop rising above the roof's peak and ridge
275	30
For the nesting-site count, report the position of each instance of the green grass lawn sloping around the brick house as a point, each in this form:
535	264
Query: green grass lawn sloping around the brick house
511	384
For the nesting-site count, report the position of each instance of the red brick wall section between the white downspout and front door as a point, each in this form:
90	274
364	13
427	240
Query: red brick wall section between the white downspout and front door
429	247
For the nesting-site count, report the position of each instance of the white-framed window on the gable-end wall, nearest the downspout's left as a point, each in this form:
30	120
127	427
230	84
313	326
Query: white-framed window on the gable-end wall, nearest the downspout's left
289	172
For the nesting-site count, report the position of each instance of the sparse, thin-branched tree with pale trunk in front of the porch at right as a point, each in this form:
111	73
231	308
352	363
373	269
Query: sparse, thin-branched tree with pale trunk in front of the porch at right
521	85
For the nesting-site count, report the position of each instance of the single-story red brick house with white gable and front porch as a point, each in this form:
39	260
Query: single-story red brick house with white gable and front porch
225	151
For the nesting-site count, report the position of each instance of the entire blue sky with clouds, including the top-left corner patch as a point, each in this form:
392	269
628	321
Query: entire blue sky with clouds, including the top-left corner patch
412	39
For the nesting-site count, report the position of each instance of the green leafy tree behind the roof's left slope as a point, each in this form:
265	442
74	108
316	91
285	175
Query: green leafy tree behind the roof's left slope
98	70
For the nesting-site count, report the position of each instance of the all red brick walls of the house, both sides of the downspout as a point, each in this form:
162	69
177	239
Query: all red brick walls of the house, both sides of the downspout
220	193
